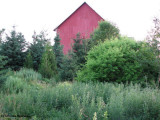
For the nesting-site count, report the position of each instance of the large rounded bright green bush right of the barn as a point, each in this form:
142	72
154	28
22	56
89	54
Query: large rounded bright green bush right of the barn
120	60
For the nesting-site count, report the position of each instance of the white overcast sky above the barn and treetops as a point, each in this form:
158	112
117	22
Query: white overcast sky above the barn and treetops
133	17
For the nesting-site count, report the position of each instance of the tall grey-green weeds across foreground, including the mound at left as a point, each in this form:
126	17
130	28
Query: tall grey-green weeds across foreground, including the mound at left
26	95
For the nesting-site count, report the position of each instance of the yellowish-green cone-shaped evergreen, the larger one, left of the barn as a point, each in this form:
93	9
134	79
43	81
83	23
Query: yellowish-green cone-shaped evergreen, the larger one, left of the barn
48	66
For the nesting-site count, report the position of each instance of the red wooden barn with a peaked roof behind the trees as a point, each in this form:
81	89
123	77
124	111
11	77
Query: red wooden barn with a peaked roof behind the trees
83	20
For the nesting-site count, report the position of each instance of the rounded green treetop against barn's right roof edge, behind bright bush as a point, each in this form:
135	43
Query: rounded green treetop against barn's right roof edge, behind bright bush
105	31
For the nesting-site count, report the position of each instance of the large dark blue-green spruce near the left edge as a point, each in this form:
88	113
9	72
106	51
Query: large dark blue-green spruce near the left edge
13	48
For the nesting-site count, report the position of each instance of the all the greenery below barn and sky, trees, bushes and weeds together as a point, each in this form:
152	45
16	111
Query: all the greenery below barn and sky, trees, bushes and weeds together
115	77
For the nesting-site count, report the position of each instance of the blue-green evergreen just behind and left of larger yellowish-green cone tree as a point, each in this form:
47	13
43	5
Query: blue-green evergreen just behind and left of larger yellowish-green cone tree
37	48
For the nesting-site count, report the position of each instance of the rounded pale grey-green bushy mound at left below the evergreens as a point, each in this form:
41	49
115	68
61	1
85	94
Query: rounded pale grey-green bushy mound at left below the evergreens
23	80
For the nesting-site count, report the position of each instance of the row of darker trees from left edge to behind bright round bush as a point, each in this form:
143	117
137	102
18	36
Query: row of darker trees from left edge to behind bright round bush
49	60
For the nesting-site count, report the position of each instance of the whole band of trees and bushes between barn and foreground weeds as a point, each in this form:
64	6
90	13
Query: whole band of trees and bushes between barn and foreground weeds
105	56
